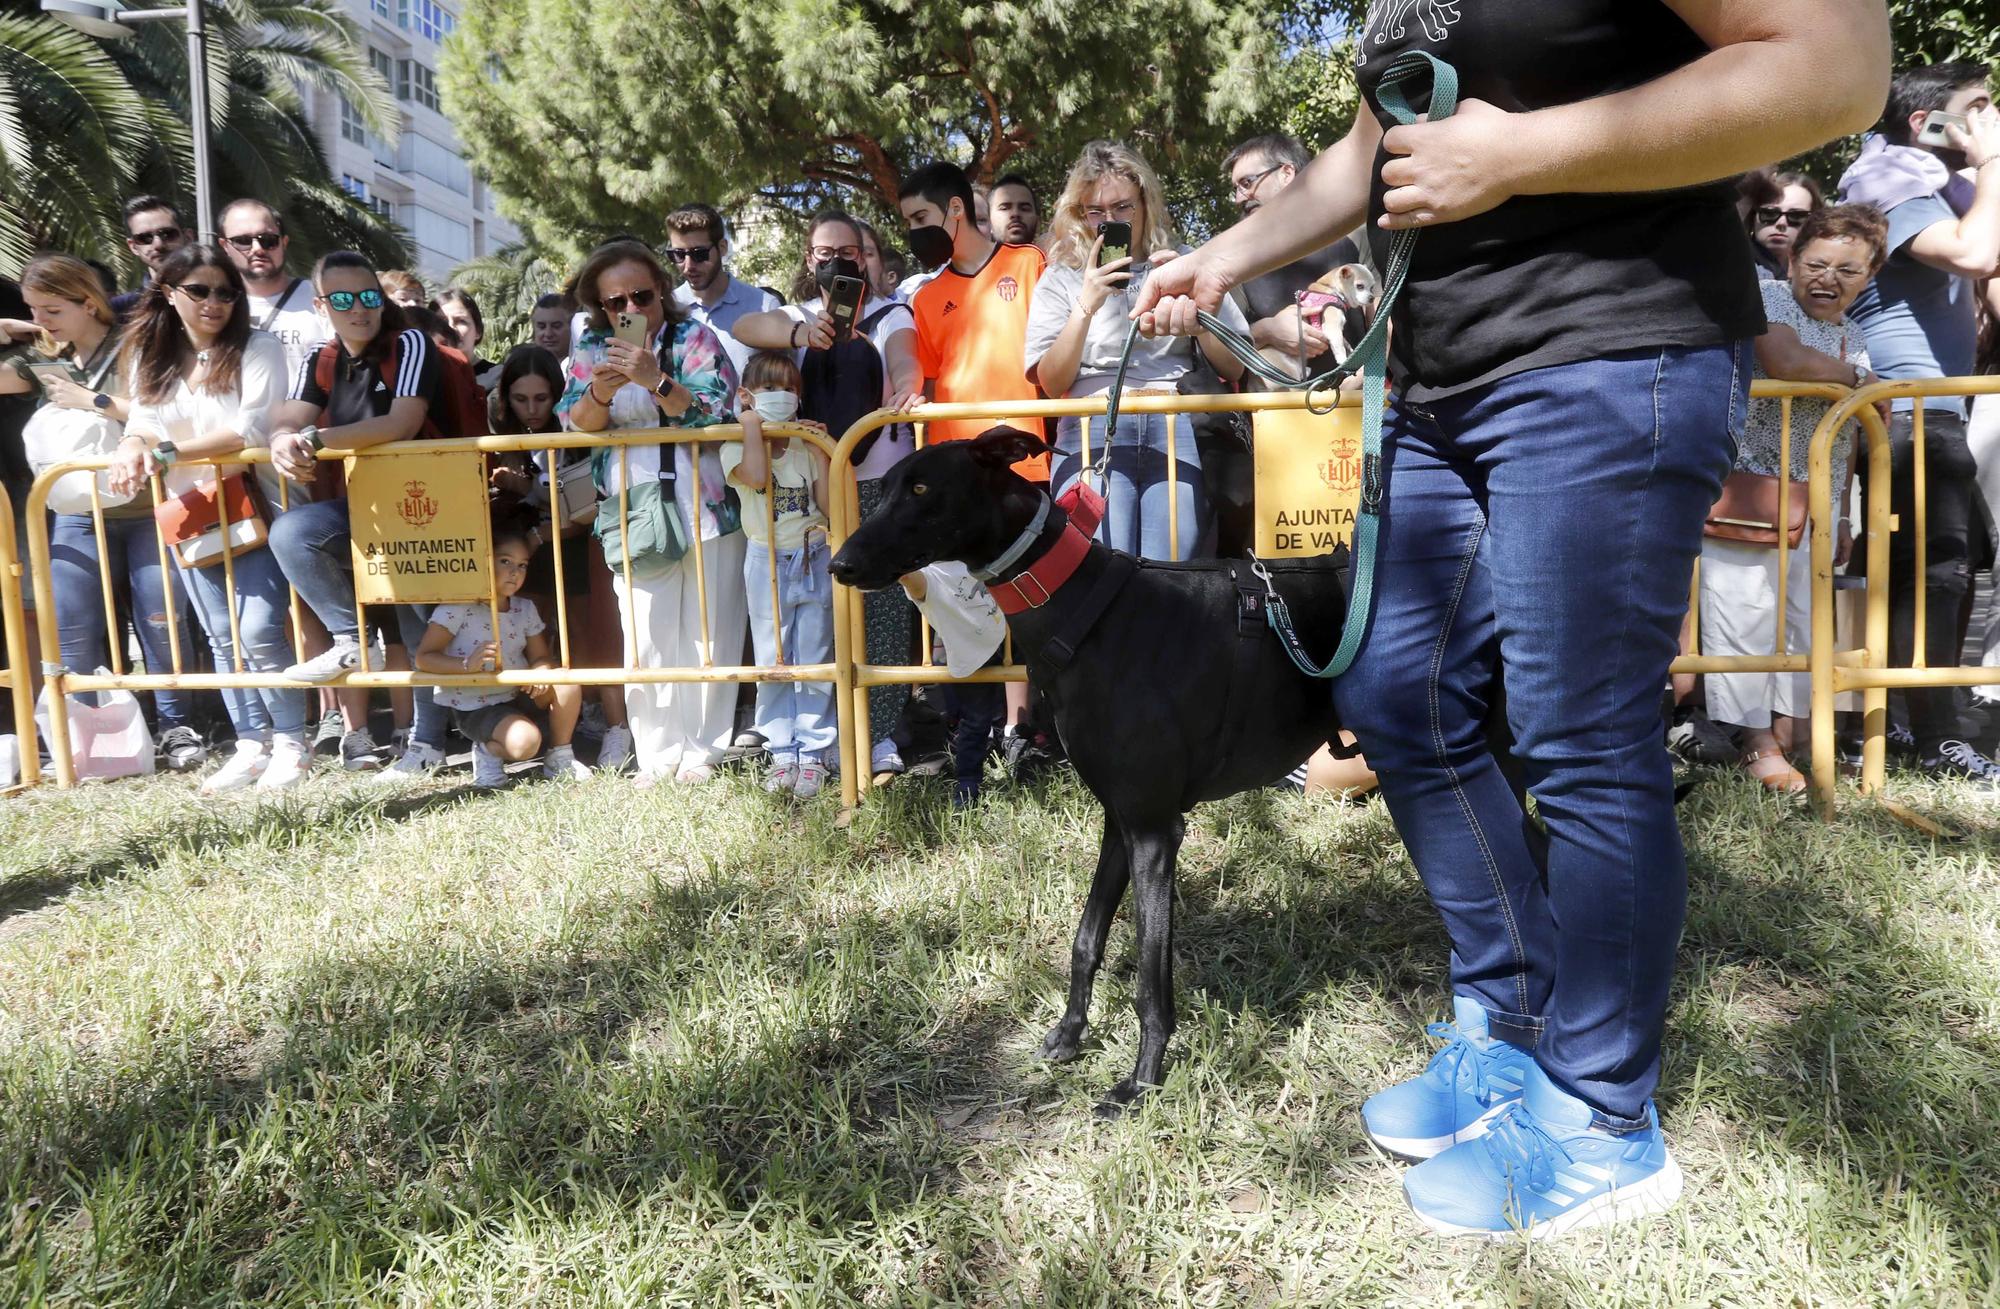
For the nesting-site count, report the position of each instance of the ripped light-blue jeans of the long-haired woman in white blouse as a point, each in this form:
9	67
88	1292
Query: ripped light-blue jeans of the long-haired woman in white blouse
263	607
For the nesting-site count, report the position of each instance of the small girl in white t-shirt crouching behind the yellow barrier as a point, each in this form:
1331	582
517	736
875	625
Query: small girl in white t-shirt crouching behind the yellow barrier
505	726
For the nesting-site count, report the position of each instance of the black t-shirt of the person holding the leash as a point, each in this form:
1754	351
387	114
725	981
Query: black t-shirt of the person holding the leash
1555	279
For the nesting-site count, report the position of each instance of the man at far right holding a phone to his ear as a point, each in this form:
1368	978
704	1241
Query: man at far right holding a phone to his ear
1923	323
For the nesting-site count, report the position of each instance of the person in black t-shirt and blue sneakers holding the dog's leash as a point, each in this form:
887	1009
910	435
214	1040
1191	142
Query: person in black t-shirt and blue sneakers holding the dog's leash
1571	365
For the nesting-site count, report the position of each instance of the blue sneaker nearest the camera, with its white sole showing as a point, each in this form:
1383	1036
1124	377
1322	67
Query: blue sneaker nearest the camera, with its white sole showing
1543	1172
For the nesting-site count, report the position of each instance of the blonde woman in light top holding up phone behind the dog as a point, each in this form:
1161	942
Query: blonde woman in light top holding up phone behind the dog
1077	331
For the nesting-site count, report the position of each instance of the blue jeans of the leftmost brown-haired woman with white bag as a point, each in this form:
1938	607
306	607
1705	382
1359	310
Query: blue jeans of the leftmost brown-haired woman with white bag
137	589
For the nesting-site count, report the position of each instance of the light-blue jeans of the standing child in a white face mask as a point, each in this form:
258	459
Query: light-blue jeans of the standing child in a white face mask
797	720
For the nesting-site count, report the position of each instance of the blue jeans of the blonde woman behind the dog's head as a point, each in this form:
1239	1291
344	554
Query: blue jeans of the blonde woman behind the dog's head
1135	485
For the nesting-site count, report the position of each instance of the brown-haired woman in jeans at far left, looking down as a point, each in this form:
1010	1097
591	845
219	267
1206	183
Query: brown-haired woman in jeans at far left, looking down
73	365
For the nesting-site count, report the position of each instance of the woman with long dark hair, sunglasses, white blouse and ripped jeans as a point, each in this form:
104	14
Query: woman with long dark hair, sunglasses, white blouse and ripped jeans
205	385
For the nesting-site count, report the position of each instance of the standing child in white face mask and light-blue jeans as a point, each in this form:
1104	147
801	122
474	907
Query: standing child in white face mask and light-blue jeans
785	521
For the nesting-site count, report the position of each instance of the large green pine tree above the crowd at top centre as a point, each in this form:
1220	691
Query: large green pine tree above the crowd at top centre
603	115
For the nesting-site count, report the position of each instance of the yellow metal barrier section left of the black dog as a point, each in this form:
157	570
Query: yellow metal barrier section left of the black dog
65	682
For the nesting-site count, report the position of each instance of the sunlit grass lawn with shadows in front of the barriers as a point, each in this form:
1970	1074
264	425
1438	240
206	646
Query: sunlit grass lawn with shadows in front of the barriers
593	1046
